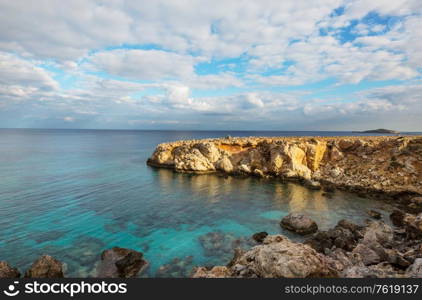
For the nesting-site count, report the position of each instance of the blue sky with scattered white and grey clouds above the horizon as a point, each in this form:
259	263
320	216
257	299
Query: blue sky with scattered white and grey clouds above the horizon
211	65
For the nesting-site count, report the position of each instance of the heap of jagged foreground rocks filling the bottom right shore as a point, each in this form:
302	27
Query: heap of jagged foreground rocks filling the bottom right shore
374	250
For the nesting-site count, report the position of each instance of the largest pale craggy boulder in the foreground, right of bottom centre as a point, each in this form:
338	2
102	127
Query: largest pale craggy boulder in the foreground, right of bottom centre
277	257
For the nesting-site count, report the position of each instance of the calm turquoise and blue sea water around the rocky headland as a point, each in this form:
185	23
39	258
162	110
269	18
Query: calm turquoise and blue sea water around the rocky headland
74	193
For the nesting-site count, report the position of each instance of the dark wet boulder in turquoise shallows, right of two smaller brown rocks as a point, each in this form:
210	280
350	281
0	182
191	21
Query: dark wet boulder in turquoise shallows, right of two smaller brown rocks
120	263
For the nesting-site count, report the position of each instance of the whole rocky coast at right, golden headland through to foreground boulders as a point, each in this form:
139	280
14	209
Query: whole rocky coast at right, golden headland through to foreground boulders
387	167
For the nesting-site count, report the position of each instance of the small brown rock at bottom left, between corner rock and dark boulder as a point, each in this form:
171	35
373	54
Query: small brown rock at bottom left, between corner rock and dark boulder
45	267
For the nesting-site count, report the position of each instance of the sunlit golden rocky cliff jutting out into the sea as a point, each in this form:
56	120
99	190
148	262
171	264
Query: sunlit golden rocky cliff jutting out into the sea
384	164
